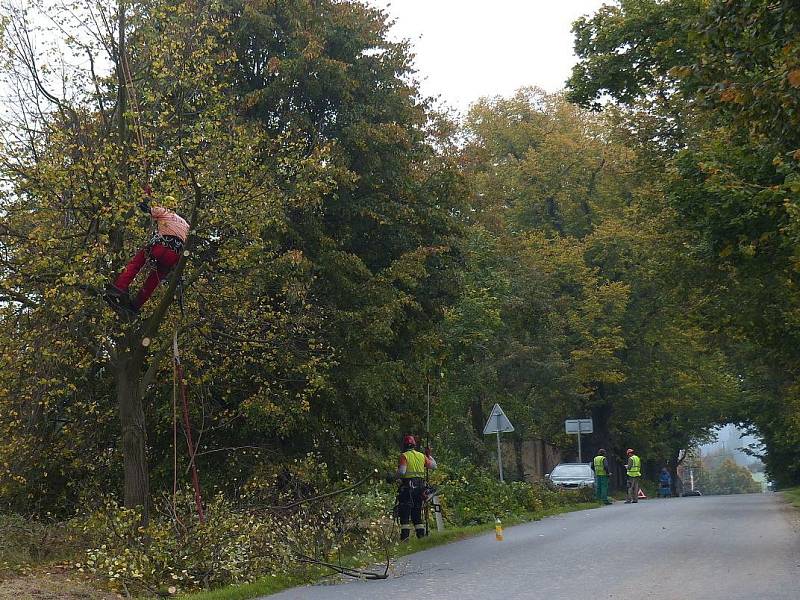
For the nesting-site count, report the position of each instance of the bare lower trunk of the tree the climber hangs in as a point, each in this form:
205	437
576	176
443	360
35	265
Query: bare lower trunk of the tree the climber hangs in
134	433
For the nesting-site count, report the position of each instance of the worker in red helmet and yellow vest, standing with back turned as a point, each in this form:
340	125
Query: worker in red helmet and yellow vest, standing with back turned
411	474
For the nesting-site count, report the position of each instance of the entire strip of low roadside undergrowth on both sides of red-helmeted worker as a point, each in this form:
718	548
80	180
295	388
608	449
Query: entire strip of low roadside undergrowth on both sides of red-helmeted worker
285	517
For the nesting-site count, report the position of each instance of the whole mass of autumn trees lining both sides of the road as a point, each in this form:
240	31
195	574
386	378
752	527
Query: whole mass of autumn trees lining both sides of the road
351	247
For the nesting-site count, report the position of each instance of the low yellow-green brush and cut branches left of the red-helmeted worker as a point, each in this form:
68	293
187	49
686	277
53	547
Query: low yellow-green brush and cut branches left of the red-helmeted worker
238	543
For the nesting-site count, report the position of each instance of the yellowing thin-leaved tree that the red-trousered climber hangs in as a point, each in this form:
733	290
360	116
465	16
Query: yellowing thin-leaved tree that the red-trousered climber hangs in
75	169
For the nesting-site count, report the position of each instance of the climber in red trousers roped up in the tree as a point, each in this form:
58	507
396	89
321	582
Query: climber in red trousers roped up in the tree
163	251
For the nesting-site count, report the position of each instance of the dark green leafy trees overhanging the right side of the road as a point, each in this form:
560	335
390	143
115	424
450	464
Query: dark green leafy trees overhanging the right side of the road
715	93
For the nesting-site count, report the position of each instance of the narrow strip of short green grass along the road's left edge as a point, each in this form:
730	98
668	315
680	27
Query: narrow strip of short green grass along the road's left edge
272	585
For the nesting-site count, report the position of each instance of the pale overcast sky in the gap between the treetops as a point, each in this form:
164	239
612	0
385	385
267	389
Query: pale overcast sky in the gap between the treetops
471	48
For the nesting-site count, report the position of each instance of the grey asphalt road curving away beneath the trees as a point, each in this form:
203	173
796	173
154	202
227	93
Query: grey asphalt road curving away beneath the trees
711	548
